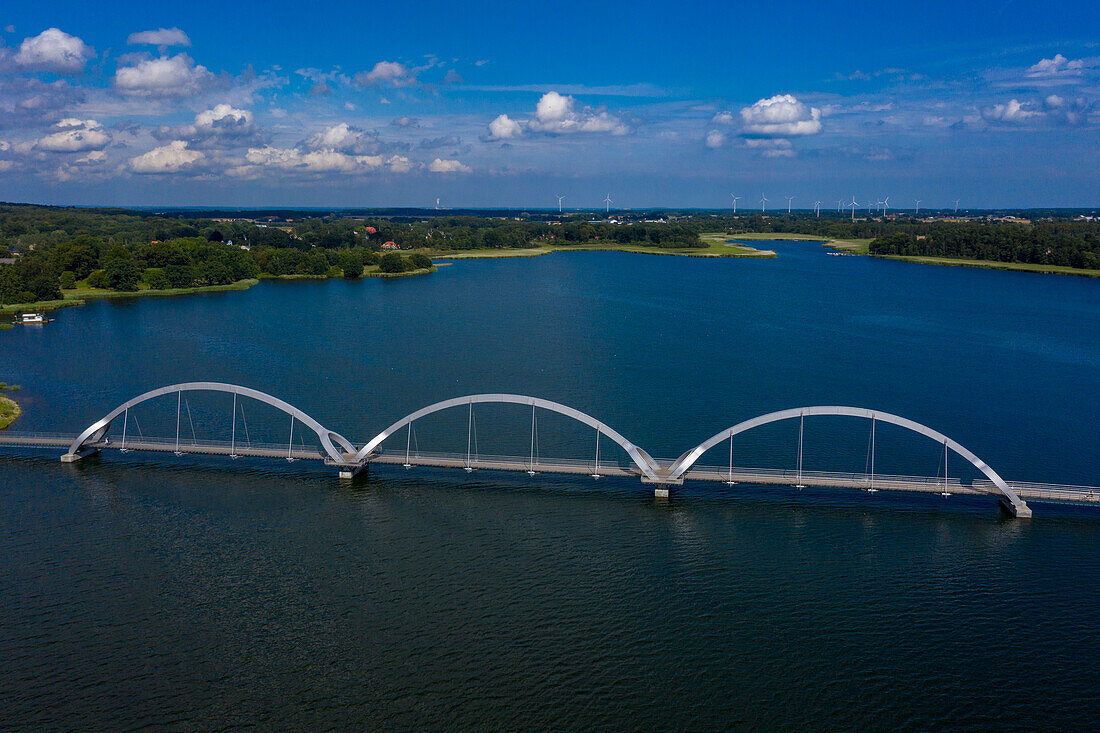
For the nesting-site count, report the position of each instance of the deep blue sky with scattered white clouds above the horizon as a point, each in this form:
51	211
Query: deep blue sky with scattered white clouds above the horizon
349	104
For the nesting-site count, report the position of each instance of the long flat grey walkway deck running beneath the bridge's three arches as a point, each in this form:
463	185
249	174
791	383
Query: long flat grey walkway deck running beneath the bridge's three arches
1043	493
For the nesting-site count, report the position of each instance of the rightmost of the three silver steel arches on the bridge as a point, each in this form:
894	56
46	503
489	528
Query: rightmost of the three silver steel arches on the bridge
686	462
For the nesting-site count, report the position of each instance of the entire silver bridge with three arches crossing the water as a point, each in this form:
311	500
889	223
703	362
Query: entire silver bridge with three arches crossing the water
335	451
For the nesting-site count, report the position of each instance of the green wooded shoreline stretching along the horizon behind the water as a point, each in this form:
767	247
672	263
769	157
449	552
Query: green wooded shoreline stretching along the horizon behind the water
51	249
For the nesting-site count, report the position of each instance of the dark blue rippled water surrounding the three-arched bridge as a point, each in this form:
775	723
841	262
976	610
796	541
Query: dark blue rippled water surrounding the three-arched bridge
199	594
